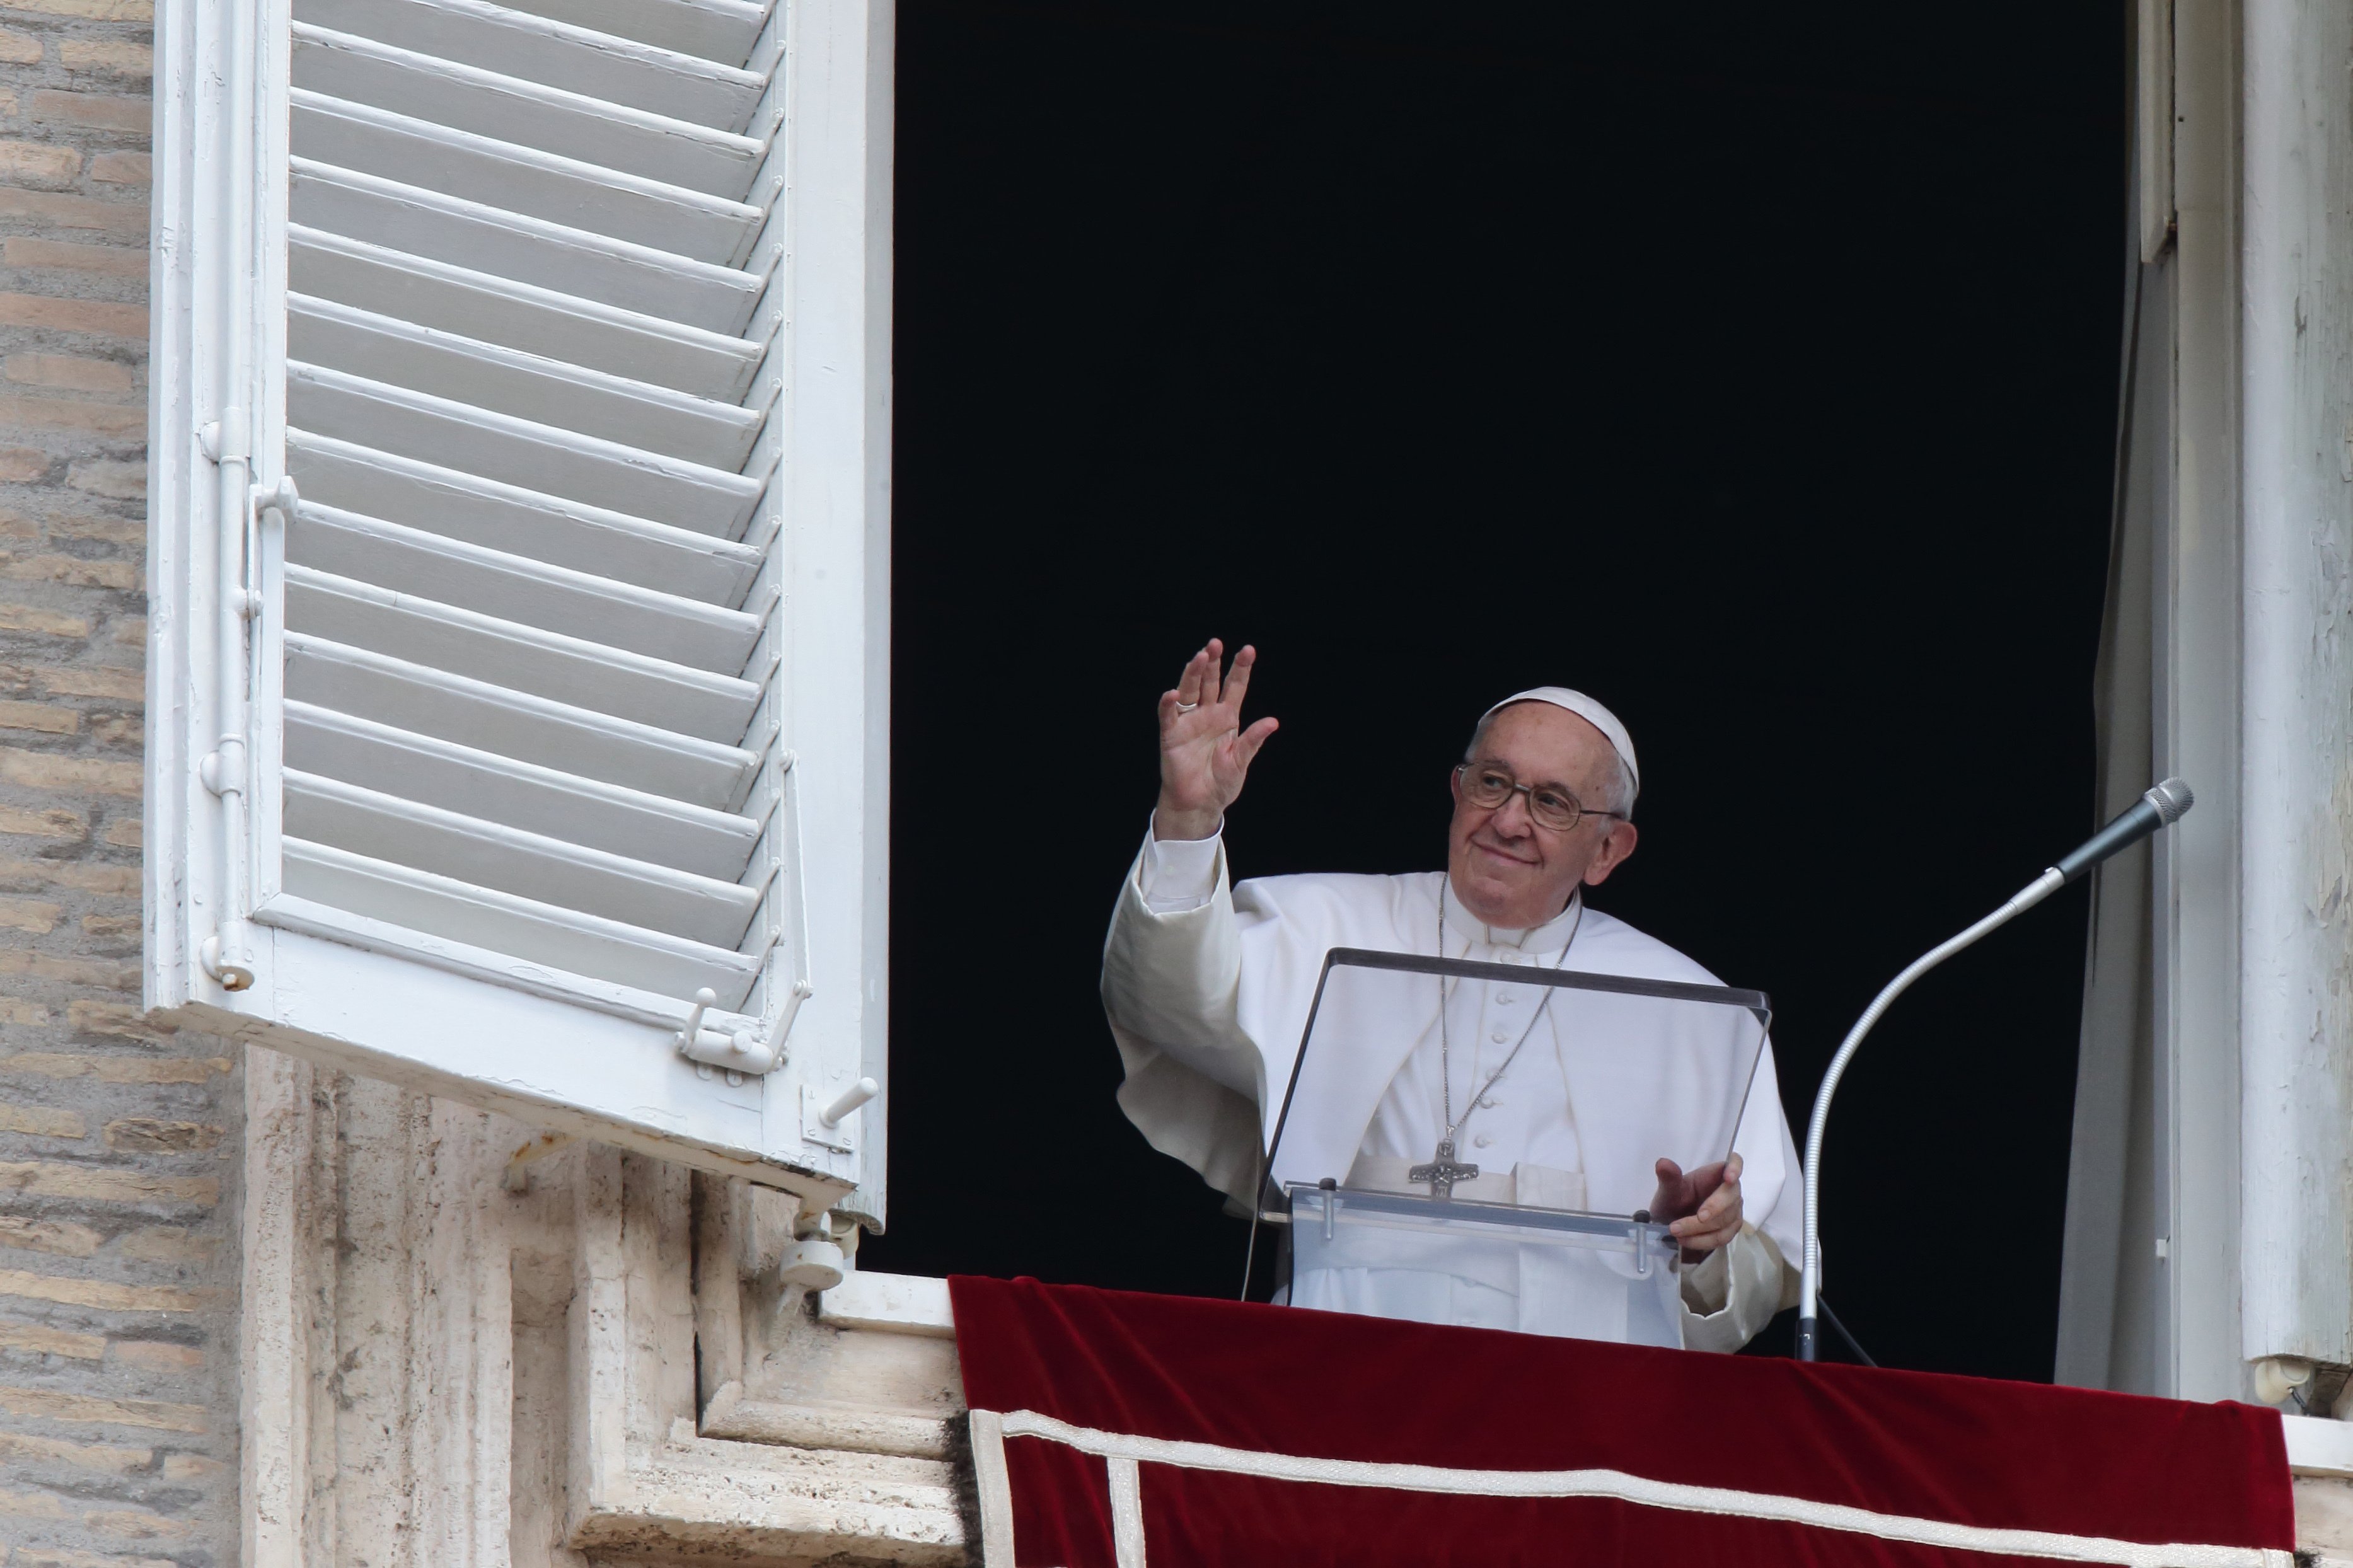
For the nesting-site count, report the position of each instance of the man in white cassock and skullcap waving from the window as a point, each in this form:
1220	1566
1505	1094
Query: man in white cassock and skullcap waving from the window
1208	988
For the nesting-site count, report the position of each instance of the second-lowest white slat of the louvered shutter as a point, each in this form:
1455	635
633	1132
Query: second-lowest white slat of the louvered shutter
512	861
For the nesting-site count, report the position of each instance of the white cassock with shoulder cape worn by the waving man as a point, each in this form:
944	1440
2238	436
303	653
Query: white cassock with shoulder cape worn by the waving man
1208	990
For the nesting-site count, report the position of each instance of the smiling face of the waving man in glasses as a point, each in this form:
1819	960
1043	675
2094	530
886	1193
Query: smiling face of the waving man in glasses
1507	868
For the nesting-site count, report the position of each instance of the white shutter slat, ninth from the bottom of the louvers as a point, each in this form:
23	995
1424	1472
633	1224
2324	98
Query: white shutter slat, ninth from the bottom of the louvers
524	385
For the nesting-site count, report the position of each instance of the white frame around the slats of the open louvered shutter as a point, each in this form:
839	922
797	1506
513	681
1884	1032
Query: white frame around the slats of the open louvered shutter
573	1056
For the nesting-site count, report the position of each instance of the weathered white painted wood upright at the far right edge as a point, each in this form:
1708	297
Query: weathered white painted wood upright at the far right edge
2298	684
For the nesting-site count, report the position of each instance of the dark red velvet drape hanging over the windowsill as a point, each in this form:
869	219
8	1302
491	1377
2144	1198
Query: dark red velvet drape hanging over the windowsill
1347	1388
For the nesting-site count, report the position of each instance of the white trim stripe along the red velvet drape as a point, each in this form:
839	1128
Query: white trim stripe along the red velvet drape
1119	1447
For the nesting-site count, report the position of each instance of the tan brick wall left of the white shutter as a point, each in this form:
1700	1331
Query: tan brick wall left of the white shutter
116	1141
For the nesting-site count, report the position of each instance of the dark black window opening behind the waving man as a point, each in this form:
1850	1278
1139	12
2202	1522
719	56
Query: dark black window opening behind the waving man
1749	371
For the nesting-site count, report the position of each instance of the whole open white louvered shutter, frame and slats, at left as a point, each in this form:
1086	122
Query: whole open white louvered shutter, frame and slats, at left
526	371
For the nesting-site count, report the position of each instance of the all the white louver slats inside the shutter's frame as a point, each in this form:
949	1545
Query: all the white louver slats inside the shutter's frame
484	580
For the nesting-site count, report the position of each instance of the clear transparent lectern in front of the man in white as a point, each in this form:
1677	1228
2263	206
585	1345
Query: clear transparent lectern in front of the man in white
1564	1089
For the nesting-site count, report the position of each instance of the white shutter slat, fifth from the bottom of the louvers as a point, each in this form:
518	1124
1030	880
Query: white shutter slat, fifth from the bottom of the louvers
521	658
